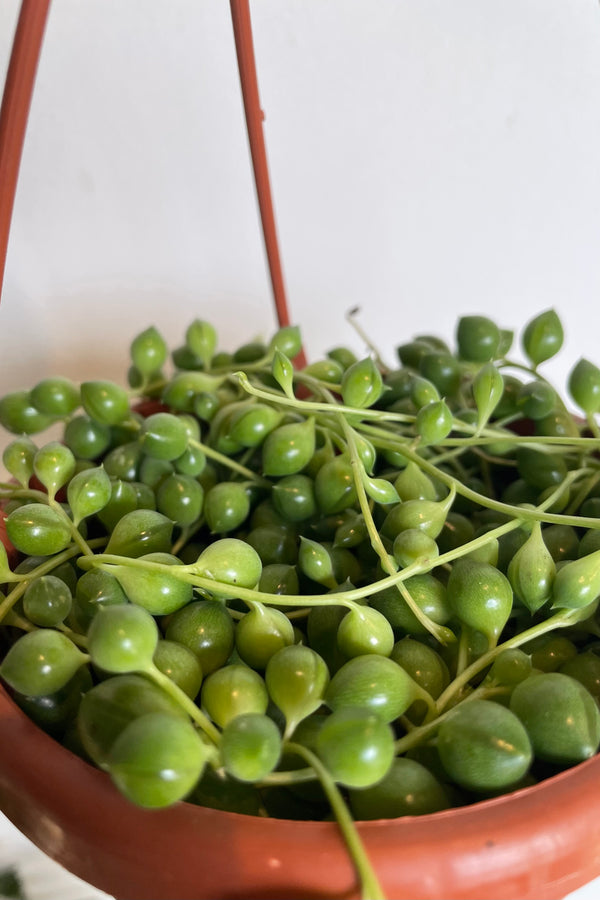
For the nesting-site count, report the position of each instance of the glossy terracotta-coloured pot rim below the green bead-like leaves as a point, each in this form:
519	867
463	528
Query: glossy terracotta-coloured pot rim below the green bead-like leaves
539	843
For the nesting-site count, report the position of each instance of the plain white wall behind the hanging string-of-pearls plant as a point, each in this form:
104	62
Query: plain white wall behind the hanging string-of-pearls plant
429	158
